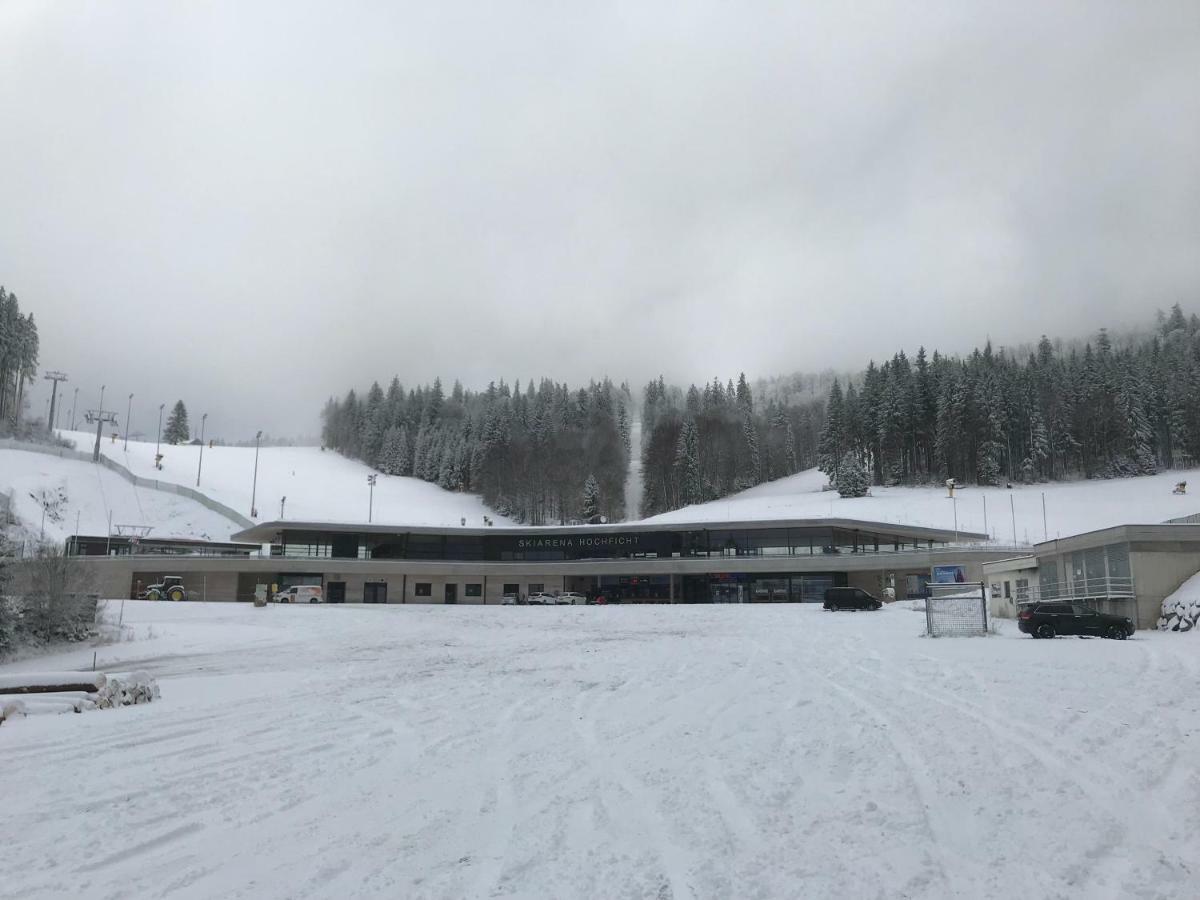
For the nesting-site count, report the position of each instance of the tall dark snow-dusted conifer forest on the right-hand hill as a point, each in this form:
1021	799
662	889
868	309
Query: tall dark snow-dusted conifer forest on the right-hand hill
1099	412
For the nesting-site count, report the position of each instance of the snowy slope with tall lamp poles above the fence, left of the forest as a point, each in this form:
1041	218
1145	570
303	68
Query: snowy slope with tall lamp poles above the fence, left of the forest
320	485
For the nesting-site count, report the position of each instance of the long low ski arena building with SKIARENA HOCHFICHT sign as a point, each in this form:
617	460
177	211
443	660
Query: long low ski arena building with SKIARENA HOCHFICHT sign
730	562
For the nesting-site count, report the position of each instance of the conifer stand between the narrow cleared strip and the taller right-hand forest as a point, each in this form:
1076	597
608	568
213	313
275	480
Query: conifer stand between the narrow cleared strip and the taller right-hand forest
713	441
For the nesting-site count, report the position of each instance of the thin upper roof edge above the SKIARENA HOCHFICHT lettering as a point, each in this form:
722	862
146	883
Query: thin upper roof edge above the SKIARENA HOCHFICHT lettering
267	532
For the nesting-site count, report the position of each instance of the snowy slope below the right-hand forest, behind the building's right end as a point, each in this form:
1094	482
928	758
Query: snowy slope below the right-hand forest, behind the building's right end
1071	507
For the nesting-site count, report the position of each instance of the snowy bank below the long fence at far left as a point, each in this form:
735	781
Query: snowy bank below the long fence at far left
73	489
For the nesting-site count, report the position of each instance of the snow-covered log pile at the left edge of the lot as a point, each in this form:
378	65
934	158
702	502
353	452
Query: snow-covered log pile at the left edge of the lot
37	693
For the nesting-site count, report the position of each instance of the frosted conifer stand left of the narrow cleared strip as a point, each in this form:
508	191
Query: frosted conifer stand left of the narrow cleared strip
543	457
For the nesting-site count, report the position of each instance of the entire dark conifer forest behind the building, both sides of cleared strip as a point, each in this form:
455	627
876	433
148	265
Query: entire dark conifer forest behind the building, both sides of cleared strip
549	454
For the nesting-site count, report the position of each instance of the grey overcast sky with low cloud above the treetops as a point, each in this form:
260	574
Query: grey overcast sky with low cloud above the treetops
255	206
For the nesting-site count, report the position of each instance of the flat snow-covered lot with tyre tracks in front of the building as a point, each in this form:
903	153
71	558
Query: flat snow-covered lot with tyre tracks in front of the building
700	752
